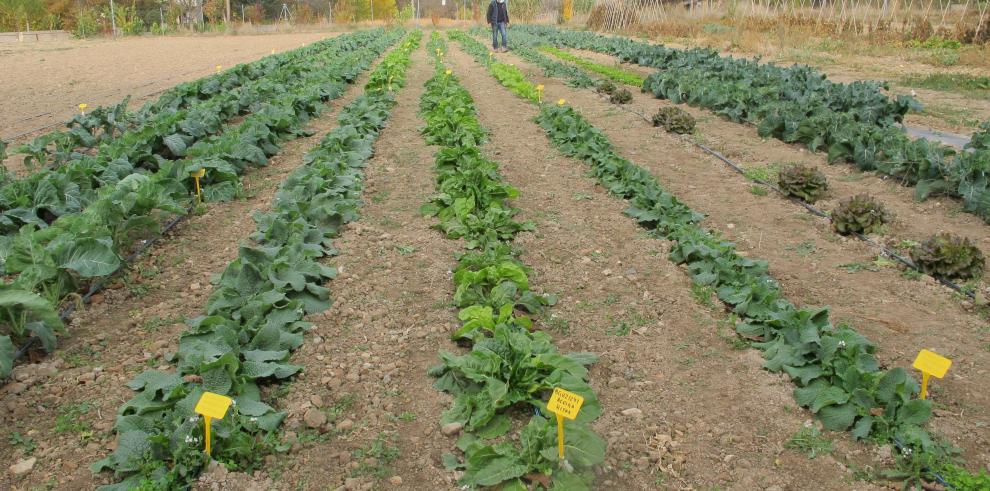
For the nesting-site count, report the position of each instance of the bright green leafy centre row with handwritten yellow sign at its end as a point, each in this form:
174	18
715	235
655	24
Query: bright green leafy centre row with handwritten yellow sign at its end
511	368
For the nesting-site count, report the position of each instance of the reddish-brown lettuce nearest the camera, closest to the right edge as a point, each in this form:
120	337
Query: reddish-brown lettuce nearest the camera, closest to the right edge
949	256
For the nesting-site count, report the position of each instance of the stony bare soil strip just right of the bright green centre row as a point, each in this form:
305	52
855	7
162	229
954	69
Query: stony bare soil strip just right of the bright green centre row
676	394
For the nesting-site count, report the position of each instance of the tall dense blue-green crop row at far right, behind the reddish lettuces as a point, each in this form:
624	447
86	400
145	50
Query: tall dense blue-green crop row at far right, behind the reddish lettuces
851	122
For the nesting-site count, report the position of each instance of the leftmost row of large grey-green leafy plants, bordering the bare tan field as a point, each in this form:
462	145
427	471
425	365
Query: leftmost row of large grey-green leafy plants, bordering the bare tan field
70	180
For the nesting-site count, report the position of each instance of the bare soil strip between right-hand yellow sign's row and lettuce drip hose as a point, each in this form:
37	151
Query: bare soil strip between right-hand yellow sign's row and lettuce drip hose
900	315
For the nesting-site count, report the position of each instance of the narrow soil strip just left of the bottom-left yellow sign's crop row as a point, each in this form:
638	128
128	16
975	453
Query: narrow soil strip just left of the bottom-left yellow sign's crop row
65	406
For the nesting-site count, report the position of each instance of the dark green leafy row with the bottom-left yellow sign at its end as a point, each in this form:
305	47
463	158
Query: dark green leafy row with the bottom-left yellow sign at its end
255	316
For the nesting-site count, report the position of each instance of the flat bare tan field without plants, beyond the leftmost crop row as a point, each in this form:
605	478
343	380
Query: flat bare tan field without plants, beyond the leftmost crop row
42	83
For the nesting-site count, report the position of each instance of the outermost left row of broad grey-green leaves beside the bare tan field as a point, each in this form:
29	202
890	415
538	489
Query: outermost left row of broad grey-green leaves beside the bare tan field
179	126
